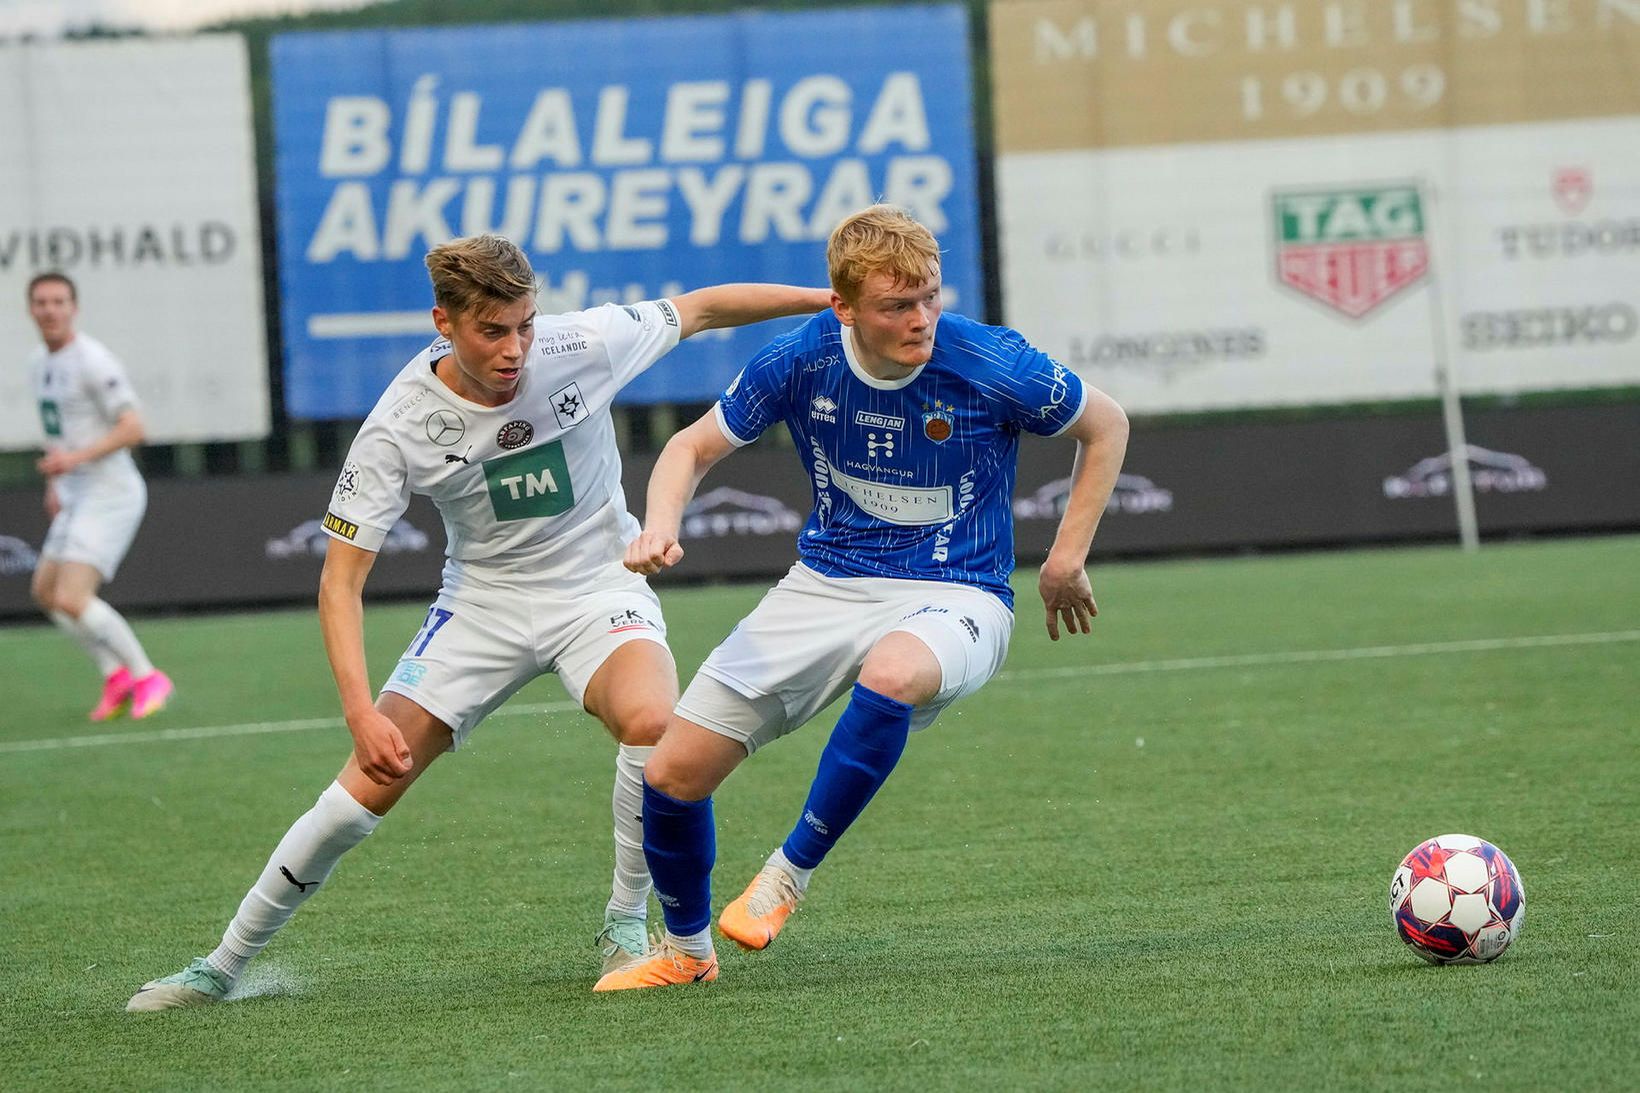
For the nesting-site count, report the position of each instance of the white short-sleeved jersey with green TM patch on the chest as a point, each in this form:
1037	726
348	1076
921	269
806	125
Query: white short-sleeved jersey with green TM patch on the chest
529	488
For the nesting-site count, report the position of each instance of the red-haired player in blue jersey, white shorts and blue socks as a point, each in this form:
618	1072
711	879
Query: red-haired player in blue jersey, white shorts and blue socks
908	423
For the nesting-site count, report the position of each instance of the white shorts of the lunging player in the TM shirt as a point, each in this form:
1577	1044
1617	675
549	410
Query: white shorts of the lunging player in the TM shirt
483	641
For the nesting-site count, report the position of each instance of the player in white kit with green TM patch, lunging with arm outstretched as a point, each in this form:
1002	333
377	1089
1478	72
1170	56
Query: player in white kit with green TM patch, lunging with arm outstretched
506	424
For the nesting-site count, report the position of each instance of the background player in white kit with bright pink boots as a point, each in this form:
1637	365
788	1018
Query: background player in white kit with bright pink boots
94	495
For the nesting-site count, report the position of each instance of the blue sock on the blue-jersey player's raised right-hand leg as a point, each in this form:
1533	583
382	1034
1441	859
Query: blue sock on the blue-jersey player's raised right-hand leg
857	761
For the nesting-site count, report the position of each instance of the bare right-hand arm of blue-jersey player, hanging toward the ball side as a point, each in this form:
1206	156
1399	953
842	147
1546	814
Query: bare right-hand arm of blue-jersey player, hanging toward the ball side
1101	442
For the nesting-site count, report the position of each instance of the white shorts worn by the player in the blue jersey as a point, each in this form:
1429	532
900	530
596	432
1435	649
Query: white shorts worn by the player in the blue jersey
804	646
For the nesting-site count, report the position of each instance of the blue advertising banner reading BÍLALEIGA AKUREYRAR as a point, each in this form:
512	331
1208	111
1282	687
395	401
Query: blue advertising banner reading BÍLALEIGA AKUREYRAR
631	160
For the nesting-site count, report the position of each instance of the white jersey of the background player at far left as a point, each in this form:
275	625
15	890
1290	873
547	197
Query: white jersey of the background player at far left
81	391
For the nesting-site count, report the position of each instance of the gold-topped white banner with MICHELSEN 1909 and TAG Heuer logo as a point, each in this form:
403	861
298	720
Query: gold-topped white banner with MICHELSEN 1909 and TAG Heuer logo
1211	206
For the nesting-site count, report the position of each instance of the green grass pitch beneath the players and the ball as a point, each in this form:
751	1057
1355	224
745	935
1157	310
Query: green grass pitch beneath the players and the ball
1154	859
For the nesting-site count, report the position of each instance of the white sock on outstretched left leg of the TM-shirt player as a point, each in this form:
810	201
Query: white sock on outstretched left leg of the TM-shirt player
303	861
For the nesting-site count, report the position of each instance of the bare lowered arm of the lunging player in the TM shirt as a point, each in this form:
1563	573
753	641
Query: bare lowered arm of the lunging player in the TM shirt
381	749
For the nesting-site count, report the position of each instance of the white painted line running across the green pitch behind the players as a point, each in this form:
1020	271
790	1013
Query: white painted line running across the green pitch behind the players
1131	667
